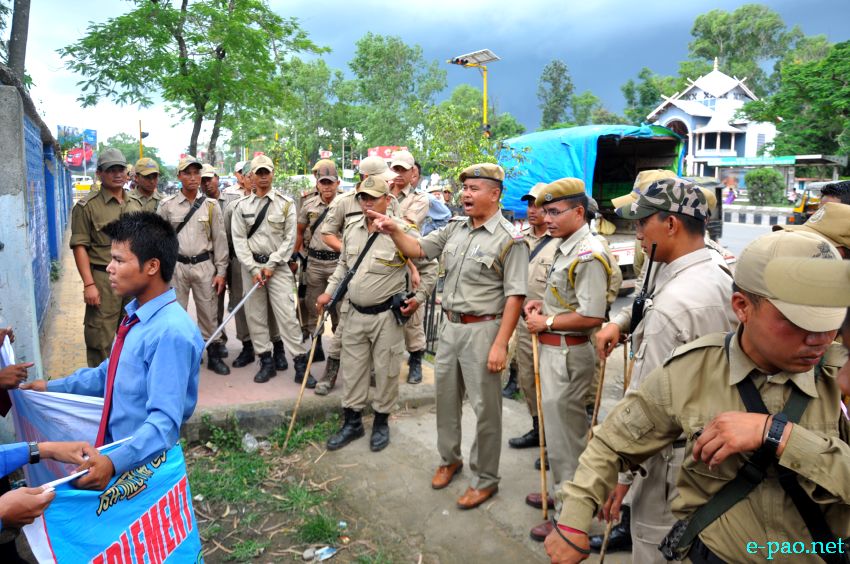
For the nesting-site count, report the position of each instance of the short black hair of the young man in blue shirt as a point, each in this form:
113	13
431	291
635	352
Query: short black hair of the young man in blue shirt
150	237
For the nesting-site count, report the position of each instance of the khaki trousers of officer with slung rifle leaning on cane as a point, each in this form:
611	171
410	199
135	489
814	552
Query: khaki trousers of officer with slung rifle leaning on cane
371	341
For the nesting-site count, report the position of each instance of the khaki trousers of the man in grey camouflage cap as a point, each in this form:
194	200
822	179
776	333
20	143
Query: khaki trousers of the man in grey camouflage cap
653	494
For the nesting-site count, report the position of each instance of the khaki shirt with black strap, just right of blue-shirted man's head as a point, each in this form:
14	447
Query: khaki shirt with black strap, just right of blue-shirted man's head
204	231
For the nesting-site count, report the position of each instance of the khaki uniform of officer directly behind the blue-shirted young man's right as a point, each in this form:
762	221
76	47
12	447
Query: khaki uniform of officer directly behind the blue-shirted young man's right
202	255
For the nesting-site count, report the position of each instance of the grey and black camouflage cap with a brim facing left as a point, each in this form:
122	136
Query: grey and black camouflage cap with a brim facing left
672	195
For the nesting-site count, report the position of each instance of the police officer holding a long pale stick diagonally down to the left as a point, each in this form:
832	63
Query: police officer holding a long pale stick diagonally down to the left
263	228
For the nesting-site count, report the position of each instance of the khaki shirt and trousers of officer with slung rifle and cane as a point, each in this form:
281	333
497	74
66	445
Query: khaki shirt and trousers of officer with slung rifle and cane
373	338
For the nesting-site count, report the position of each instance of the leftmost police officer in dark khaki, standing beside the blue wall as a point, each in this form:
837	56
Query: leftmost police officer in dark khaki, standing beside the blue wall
92	253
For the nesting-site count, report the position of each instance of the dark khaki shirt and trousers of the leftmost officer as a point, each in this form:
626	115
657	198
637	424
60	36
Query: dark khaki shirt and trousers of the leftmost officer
88	218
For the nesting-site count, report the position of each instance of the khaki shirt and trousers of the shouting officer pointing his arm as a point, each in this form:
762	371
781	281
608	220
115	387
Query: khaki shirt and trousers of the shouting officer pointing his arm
484	266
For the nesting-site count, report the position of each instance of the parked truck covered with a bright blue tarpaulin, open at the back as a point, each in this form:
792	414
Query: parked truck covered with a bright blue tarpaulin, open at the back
607	158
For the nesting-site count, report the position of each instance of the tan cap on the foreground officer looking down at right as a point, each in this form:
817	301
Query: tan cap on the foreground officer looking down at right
756	273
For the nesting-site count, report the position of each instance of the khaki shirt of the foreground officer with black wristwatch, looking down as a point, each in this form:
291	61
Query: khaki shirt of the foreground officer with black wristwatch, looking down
683	396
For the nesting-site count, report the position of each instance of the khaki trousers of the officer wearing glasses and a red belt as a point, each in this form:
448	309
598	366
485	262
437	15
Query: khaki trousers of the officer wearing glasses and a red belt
565	374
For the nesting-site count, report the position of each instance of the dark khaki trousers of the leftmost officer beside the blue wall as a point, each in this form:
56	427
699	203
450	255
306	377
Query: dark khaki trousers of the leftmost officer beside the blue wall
101	322
